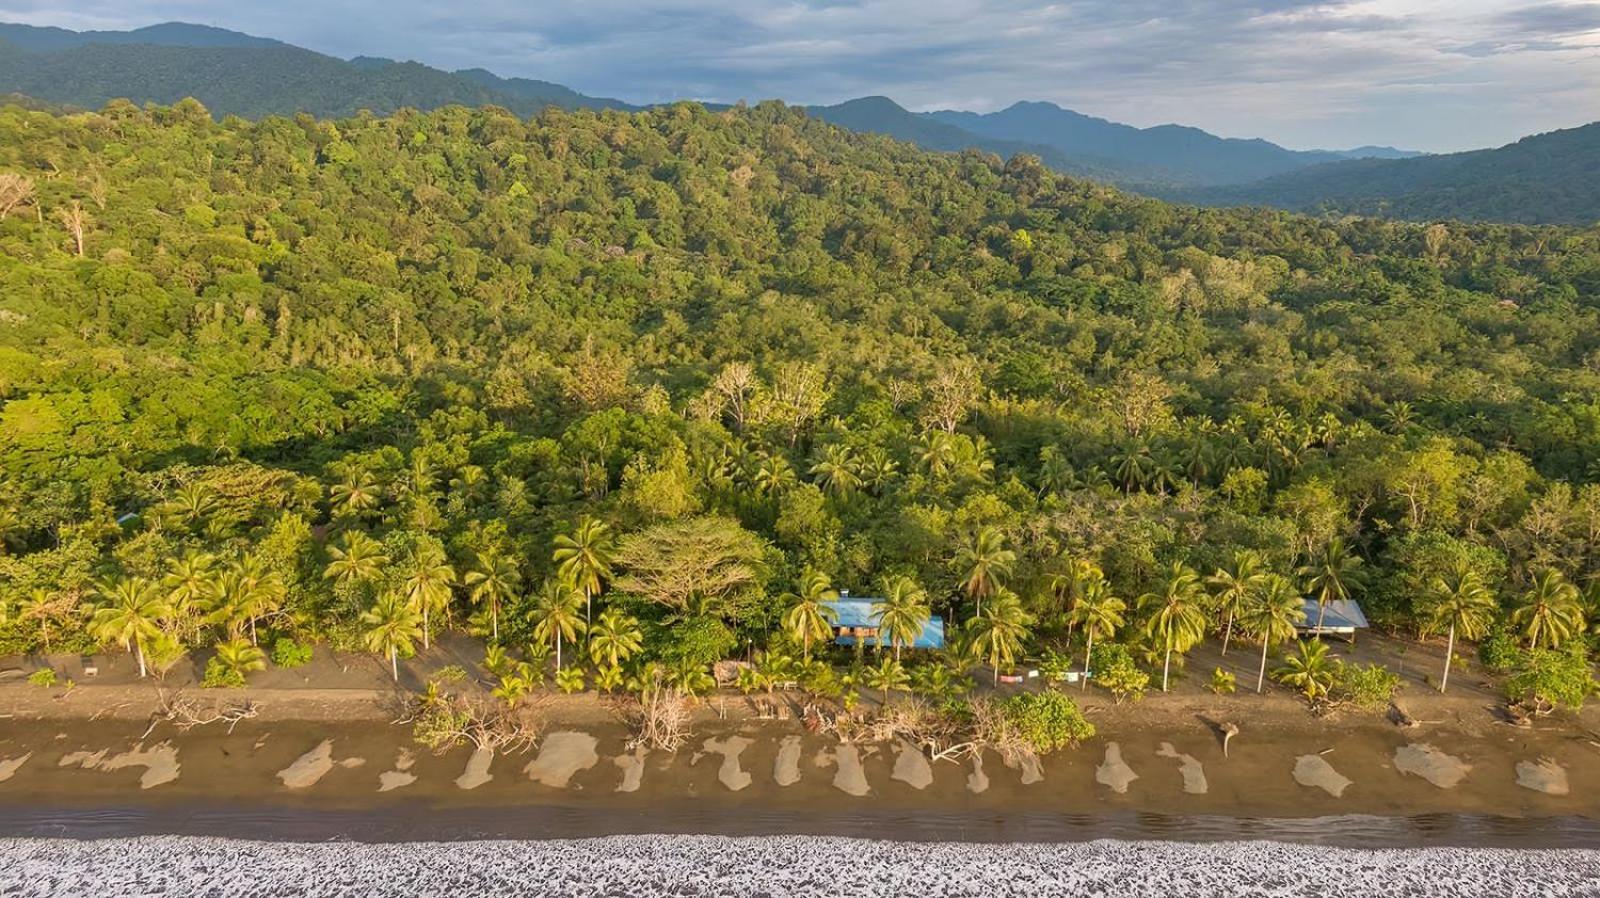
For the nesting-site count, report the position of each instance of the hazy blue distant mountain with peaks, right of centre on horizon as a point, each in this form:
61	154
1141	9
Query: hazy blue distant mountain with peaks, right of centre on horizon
1182	154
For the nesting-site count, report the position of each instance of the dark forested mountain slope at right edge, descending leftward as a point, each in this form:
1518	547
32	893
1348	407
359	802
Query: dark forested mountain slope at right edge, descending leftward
1550	178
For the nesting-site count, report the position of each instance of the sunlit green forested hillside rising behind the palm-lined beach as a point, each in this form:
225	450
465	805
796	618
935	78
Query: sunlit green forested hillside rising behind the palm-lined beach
366	377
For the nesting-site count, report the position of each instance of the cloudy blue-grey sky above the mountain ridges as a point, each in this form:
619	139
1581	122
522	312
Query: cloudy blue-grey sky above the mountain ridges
1420	74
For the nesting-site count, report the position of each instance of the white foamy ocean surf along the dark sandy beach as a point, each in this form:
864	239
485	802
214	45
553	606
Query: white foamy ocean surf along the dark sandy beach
177	867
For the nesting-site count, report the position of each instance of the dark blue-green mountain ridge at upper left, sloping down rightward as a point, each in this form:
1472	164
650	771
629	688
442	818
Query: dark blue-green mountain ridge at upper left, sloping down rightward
236	74
